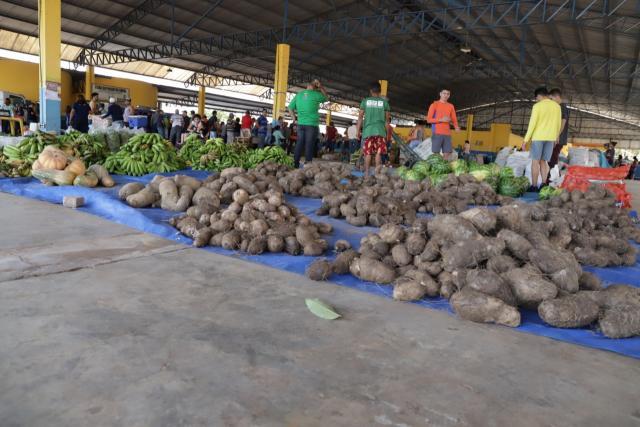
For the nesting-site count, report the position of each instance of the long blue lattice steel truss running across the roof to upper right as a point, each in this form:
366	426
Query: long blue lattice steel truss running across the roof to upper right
451	19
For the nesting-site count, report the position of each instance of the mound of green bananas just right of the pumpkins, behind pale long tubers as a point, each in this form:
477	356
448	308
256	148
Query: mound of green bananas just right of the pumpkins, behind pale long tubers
144	153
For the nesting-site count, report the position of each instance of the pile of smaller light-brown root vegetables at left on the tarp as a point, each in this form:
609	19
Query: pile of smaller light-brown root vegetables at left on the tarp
256	218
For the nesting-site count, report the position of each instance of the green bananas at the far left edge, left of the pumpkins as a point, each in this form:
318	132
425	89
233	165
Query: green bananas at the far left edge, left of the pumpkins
17	159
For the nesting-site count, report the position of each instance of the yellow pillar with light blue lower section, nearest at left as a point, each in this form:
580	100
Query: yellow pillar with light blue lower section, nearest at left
49	28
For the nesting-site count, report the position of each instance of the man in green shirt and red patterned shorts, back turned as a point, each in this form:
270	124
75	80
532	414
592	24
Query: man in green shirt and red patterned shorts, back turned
375	113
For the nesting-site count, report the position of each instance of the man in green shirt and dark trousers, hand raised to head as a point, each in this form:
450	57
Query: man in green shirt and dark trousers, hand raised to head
304	107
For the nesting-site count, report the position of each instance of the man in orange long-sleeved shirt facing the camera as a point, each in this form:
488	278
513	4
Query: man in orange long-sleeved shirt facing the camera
441	114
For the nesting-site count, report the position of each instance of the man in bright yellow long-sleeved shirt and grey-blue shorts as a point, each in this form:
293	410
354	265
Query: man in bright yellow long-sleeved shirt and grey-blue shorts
544	129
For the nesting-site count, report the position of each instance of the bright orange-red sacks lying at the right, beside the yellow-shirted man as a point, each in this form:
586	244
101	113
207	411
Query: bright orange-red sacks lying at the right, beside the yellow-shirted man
581	177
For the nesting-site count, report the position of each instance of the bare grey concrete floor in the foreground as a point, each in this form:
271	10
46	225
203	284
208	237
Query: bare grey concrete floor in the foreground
103	326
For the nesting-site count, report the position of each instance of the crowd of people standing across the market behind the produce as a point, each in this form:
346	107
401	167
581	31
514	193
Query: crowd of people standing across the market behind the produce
547	132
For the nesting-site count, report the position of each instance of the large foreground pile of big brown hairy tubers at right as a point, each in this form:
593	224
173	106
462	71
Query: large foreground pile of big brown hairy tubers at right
490	263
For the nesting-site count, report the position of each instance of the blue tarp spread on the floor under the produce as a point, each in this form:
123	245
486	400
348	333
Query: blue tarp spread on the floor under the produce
104	202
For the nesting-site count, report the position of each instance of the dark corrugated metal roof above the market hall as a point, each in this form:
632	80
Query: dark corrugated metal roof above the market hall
574	48
